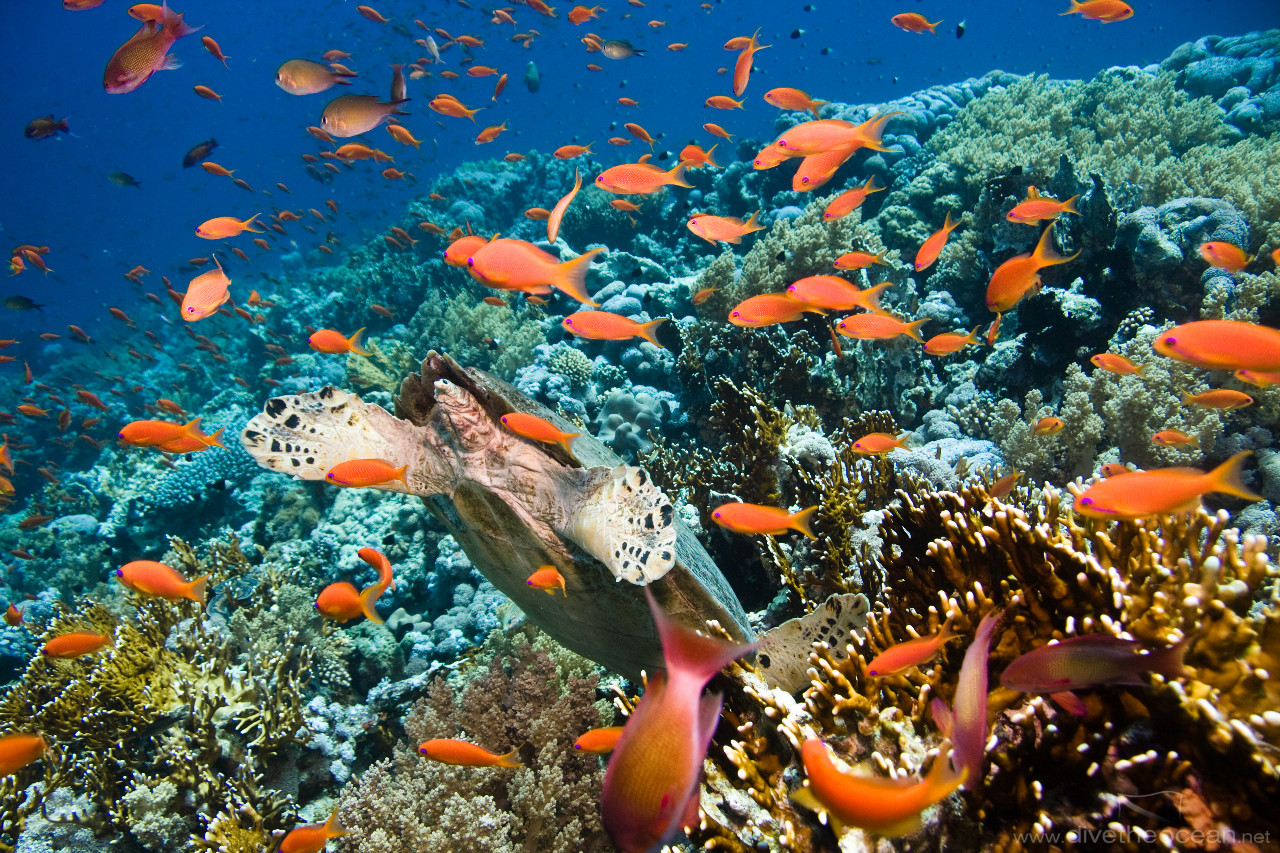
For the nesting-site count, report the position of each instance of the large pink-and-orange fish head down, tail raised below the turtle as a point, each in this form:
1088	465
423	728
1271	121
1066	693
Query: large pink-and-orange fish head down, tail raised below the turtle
651	787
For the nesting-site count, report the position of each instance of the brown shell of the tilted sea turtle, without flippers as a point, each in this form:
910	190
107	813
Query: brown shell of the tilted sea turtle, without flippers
600	617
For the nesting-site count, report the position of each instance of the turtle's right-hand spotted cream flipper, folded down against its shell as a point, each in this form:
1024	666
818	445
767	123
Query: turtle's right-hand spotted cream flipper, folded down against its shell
624	521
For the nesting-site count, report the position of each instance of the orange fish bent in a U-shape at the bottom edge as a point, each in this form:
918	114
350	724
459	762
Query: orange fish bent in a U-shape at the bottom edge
881	806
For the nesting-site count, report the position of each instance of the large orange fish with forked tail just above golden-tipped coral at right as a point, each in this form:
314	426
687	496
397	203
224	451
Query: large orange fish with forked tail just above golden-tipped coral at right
1165	491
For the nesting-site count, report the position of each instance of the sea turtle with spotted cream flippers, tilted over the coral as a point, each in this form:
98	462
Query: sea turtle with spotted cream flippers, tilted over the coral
515	505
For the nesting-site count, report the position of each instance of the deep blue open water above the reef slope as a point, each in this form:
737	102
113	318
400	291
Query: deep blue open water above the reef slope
56	191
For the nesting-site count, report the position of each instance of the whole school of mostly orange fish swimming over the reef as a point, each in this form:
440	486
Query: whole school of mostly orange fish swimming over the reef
652	781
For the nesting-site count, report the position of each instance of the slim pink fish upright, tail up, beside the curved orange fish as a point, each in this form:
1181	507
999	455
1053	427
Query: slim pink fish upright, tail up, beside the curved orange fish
966	723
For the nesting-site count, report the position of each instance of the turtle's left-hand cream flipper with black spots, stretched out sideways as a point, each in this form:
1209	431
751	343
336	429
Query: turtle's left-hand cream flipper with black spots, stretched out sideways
308	435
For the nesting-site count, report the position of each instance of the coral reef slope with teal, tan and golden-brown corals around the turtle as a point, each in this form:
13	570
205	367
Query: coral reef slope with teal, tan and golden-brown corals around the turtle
221	728
